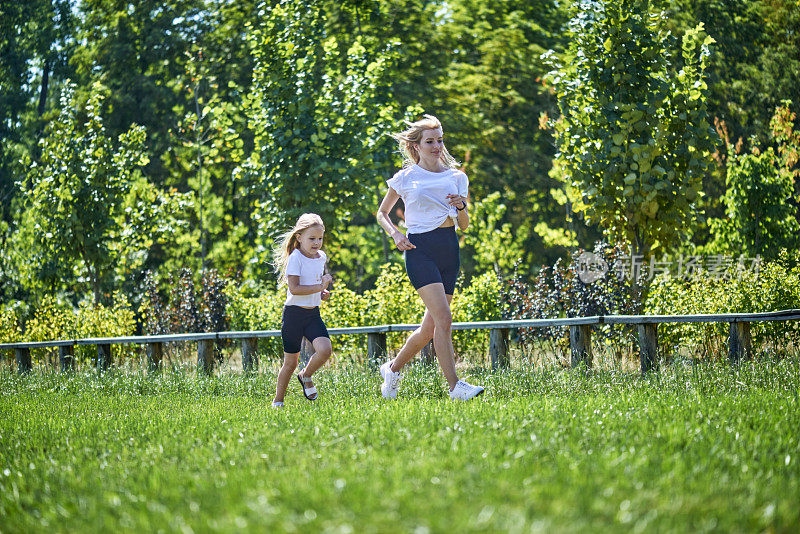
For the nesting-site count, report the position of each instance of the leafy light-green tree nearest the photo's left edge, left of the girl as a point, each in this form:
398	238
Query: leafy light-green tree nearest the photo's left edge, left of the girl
85	210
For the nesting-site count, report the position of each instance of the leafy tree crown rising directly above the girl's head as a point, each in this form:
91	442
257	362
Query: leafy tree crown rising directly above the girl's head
319	129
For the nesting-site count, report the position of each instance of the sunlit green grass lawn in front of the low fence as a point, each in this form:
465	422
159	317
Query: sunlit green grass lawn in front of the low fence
692	449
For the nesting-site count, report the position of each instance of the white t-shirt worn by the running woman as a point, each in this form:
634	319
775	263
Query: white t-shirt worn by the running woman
424	194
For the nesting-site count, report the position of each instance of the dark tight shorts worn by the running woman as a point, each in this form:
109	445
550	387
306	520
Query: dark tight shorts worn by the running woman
435	260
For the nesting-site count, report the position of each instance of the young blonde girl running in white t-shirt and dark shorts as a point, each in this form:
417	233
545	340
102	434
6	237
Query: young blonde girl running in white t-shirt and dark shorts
300	264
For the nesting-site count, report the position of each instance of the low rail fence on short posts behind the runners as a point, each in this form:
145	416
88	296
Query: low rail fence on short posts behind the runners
740	344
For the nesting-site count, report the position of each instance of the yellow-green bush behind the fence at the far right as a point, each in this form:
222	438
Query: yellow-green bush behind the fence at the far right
775	286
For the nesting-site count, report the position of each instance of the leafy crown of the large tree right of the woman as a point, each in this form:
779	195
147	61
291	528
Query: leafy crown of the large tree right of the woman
633	136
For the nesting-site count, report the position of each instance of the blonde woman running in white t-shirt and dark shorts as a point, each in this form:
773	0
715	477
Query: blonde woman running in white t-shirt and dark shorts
434	192
